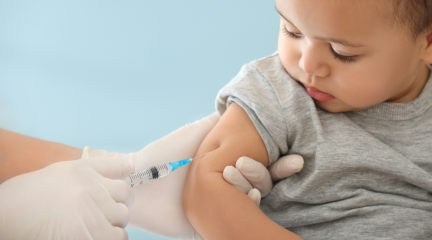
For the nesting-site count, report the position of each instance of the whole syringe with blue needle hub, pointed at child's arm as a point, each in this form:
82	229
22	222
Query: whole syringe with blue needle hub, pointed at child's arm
155	172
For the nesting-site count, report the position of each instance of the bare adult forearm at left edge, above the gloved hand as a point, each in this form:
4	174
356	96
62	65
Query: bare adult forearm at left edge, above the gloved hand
21	154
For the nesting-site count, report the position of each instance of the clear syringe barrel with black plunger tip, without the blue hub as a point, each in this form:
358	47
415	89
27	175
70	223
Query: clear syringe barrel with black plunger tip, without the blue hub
148	174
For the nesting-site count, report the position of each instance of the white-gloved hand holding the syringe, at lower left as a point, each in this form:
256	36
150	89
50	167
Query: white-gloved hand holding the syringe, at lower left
67	200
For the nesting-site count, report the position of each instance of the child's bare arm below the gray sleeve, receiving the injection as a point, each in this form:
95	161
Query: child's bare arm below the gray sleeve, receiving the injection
214	207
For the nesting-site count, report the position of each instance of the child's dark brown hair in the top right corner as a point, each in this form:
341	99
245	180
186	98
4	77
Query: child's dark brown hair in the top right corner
415	15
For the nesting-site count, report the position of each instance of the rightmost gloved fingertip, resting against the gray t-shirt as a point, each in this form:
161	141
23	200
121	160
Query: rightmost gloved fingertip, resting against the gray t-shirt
286	166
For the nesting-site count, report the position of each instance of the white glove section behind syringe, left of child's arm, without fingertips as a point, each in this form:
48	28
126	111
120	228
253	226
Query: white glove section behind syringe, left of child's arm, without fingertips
158	204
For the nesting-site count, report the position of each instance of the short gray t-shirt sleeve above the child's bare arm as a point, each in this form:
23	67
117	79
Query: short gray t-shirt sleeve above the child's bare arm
252	91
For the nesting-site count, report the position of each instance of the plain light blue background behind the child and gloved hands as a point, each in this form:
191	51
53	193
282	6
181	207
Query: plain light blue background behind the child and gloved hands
117	75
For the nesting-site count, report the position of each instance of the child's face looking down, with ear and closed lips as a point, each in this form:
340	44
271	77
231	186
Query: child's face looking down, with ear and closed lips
346	56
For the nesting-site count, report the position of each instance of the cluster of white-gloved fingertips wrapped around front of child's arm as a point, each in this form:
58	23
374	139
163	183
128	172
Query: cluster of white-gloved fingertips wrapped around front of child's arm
255	180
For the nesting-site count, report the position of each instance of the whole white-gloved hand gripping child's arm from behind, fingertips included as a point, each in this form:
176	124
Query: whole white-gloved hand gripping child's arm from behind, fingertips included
158	204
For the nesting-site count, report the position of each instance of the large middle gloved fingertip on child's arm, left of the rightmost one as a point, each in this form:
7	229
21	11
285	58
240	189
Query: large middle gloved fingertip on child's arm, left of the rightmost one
256	173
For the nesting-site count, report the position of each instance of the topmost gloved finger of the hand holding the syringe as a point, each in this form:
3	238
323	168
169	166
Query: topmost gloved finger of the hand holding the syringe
110	168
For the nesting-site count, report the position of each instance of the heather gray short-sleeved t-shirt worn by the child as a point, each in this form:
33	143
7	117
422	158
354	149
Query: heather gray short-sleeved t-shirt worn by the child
367	174
